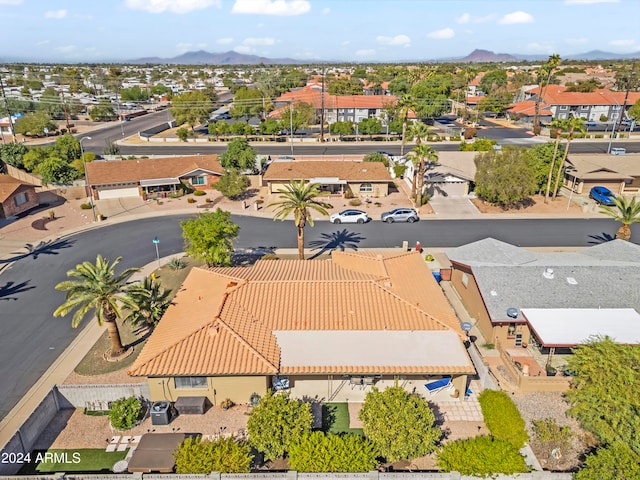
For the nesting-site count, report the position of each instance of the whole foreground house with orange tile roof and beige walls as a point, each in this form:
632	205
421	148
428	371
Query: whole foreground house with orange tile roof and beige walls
323	329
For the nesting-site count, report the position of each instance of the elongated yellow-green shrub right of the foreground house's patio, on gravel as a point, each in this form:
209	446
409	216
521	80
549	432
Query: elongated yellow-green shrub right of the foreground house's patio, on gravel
502	417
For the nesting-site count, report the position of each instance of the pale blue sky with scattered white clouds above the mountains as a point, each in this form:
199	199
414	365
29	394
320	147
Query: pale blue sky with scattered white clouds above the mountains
321	30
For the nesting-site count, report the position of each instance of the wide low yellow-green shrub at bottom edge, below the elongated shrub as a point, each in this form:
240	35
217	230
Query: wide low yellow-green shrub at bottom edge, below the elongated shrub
481	456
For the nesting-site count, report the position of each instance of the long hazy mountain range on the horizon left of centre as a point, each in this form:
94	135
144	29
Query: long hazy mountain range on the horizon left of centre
207	58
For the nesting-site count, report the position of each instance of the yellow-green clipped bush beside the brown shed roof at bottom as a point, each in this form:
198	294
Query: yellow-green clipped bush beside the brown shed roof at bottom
198	456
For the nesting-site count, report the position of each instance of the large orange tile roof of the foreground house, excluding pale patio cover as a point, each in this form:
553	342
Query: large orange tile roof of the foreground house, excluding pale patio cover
222	320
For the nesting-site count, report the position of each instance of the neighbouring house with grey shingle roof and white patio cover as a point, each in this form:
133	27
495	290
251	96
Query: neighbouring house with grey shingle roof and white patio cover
509	291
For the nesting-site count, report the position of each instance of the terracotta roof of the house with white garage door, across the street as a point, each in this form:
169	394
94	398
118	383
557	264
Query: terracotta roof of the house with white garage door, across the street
125	171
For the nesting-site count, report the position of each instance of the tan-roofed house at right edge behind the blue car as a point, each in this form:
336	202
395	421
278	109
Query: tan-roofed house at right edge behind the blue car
619	173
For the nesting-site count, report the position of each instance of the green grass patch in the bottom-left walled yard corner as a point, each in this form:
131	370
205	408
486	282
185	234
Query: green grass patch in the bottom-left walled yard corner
91	460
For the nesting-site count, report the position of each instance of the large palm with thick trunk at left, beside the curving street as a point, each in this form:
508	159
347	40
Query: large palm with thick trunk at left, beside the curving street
100	290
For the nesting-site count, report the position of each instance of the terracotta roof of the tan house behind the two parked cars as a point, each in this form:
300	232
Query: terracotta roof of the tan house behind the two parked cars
344	170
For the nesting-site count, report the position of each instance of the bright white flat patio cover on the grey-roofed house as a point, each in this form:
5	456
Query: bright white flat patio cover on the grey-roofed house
568	327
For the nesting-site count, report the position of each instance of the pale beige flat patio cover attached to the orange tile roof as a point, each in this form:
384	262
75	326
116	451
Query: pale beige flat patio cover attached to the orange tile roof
404	349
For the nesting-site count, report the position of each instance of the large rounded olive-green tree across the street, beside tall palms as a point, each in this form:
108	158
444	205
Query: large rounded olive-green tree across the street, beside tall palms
504	178
